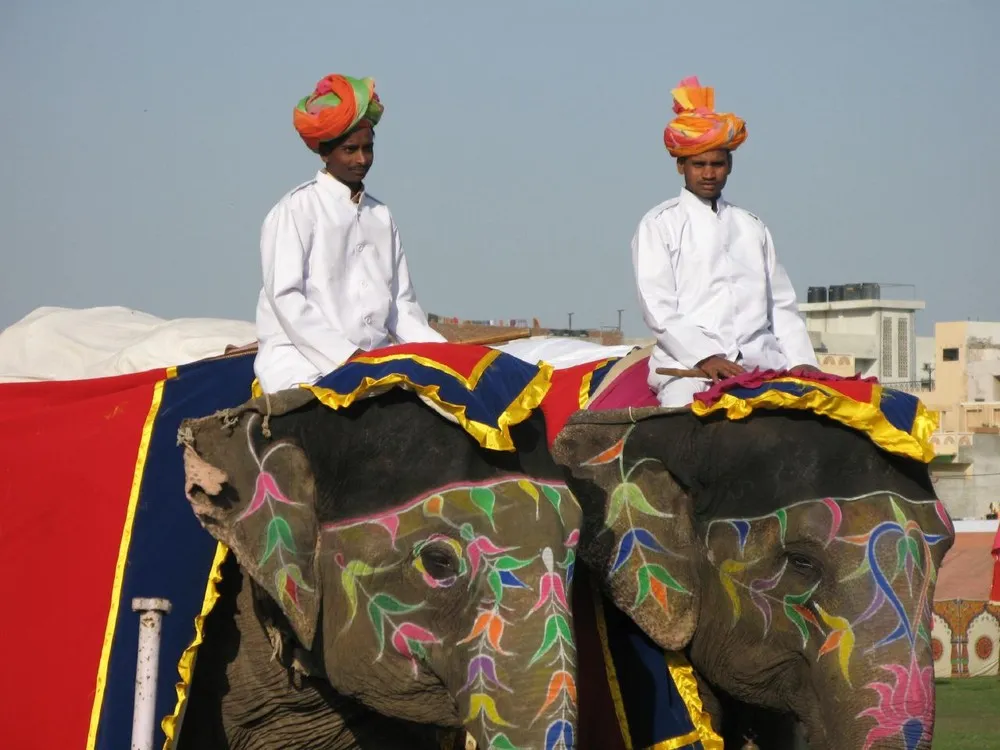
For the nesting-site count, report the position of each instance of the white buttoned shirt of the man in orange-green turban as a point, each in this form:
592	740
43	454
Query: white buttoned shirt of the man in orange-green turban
335	280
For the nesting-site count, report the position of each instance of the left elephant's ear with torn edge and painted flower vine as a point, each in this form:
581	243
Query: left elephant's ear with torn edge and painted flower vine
257	496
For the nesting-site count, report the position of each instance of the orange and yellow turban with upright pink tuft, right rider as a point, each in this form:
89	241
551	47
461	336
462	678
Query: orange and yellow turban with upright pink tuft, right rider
698	127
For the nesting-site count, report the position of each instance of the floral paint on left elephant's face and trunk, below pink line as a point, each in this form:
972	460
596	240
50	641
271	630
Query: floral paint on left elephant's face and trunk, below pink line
518	590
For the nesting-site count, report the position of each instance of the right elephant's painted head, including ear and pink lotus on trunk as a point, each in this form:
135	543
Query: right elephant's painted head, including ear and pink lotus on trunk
793	559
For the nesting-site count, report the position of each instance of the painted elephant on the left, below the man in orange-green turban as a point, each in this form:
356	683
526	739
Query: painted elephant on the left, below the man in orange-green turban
393	579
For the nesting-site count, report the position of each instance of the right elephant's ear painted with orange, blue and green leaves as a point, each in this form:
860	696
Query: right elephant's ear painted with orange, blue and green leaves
638	522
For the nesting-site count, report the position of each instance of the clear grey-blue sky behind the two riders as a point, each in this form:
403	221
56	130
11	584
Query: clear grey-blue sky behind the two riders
144	143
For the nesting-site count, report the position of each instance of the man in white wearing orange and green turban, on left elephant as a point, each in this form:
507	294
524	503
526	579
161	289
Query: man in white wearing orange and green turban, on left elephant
336	280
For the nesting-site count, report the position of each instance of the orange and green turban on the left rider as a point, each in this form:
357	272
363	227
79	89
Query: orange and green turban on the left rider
337	105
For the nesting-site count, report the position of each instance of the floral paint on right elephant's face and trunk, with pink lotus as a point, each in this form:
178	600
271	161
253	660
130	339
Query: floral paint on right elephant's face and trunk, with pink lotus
880	605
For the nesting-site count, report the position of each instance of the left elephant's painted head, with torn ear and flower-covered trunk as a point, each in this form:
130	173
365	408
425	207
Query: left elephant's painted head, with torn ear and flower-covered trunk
415	575
